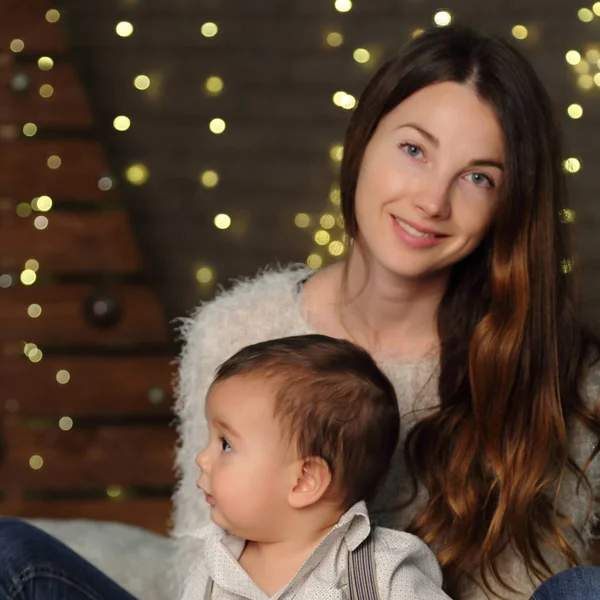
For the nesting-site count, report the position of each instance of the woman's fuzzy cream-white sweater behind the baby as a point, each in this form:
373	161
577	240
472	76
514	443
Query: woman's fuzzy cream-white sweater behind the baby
266	307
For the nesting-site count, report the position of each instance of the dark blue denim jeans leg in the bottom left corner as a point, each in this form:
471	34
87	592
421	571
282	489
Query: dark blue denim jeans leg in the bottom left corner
36	566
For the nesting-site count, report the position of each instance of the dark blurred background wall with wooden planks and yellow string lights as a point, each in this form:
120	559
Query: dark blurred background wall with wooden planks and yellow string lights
152	150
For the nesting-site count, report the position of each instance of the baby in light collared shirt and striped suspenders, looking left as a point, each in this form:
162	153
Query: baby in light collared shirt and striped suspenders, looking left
302	432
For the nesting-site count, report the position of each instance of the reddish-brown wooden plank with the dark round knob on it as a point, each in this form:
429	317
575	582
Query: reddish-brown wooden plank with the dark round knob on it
63	319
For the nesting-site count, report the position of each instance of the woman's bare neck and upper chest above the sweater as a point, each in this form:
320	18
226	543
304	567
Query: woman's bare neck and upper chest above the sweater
389	315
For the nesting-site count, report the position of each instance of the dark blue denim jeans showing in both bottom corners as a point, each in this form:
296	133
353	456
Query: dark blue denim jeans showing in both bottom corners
35	566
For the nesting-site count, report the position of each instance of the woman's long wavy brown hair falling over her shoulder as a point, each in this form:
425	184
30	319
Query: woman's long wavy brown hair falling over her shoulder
513	349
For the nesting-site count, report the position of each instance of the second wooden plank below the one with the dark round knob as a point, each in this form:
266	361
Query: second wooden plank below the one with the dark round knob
79	458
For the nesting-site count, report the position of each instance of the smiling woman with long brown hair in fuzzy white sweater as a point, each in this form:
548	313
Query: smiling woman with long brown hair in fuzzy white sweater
452	189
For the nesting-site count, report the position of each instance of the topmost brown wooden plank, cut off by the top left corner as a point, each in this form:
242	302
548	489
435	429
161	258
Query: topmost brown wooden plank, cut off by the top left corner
26	20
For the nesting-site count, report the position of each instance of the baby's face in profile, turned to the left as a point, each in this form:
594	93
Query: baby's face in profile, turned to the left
247	466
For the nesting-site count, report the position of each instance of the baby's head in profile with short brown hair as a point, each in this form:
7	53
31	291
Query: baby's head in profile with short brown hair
299	425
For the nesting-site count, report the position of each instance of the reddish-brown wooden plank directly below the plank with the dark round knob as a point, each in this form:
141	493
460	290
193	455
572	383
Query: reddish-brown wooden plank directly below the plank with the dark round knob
100	385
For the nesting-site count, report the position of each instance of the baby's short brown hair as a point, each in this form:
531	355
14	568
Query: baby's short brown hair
335	403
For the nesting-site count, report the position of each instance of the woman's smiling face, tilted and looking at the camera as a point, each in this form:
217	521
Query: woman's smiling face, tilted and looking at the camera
429	181
